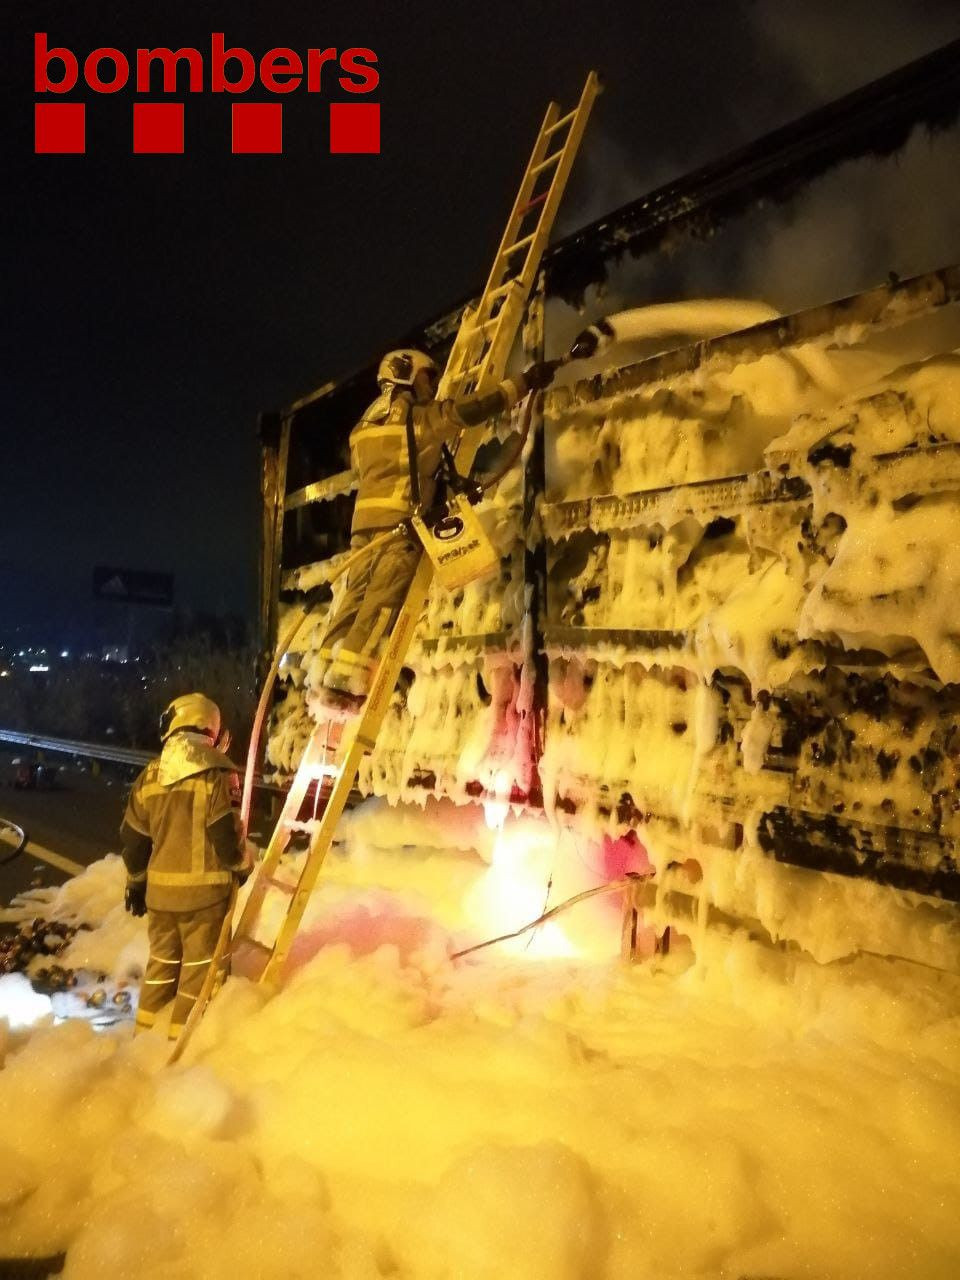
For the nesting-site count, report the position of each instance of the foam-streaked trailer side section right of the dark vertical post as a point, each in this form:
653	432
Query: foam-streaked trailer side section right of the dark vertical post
755	624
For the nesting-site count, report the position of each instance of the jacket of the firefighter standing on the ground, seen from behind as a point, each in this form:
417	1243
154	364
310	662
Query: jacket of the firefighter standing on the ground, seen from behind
181	831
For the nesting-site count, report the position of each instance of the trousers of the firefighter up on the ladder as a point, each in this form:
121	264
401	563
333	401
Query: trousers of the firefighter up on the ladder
372	600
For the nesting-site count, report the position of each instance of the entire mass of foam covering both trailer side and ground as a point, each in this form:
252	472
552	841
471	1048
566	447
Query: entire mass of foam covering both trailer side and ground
541	1110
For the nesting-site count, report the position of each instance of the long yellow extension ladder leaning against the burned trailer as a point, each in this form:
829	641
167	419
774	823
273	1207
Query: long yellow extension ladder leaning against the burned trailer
477	364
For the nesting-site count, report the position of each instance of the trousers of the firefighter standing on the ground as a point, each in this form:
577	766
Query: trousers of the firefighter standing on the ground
182	947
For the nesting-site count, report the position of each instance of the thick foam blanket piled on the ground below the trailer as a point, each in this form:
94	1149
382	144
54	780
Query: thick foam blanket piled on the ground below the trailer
391	1114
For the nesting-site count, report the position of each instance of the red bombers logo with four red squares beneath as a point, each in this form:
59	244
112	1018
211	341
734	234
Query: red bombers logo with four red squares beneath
159	126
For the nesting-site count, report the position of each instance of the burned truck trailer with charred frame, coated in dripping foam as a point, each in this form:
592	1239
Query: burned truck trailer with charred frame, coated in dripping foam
726	625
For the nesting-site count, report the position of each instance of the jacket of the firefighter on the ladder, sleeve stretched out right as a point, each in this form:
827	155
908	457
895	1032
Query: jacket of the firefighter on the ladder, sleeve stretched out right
378	447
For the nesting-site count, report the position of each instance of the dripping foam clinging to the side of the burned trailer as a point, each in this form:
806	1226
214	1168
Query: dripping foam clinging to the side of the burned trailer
770	598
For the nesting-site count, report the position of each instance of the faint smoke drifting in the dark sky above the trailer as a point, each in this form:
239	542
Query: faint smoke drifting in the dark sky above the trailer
848	231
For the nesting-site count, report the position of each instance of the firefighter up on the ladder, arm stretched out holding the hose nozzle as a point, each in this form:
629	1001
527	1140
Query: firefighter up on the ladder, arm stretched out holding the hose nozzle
378	586
